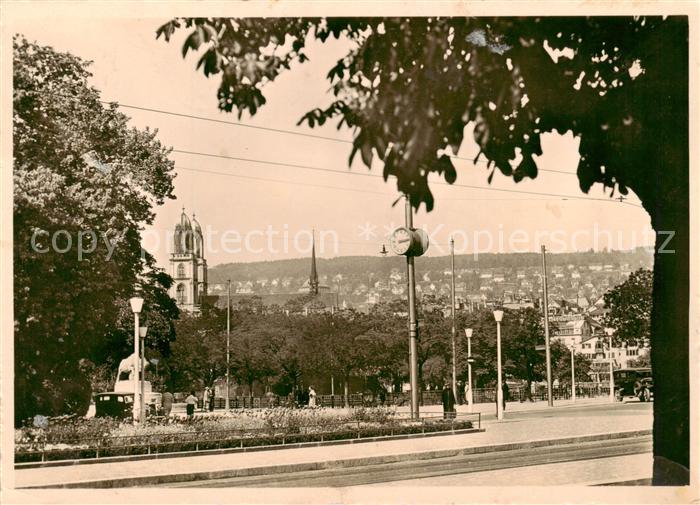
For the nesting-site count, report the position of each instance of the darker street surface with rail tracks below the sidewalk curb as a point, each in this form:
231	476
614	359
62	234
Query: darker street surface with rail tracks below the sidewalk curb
425	472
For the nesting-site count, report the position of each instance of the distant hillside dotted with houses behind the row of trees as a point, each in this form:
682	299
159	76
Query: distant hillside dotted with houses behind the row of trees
359	281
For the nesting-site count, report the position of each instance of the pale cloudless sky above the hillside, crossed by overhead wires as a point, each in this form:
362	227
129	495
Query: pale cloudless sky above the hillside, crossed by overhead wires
253	211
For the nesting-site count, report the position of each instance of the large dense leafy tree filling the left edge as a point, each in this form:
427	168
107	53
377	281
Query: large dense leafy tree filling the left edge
85	183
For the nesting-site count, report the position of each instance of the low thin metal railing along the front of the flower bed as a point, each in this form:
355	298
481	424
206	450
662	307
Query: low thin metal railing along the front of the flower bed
193	441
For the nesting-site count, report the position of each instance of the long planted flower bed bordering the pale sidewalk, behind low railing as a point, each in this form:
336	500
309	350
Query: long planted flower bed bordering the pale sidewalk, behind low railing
79	438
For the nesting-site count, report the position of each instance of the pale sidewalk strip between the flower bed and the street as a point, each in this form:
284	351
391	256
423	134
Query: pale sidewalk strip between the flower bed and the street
560	423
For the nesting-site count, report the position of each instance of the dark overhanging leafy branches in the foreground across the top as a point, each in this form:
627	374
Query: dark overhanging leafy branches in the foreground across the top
409	86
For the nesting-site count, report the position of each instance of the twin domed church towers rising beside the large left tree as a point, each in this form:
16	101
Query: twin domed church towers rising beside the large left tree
188	267
